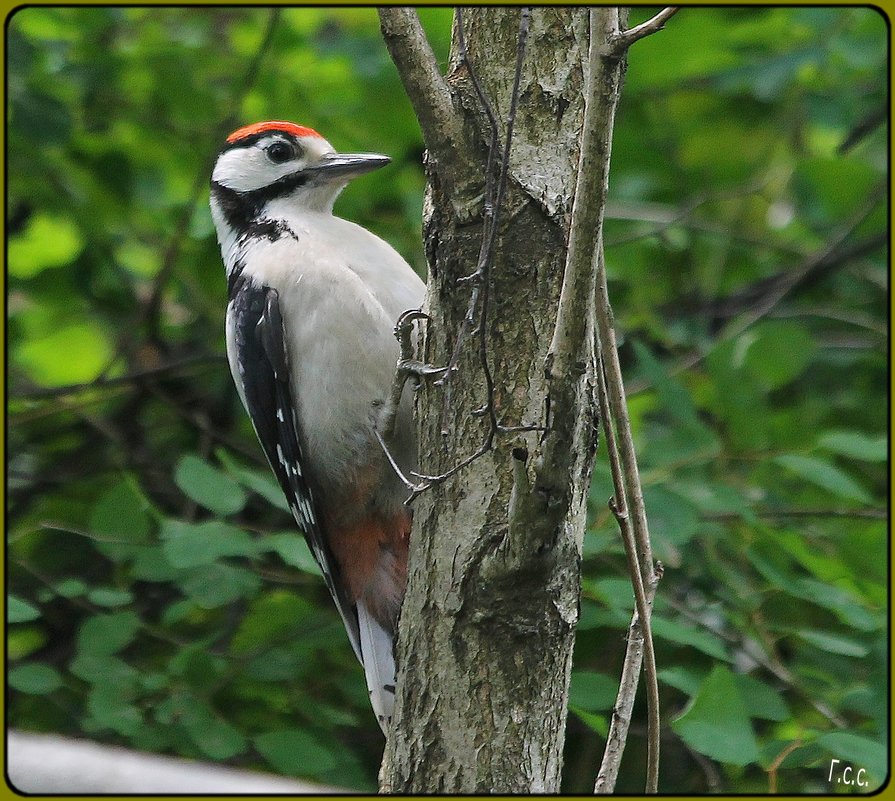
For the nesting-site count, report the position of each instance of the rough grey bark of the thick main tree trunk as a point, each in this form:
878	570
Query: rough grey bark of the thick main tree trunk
488	623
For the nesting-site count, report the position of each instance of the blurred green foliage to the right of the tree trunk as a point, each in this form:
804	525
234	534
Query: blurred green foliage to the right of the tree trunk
745	248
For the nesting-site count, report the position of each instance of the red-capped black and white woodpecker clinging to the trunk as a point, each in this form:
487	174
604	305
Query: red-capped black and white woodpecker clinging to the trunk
313	302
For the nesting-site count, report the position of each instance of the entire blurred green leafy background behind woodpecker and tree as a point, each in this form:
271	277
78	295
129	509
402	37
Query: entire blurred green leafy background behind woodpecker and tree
159	596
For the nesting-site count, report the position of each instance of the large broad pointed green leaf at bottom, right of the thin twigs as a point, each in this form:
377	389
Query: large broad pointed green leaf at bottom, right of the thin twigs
716	723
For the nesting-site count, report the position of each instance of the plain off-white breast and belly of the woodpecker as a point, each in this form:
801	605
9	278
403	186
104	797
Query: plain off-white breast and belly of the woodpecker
341	290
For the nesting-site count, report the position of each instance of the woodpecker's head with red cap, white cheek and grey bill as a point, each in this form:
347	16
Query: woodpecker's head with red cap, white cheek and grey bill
281	162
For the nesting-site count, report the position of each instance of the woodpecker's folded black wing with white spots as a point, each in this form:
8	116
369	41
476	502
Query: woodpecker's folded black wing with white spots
261	366
